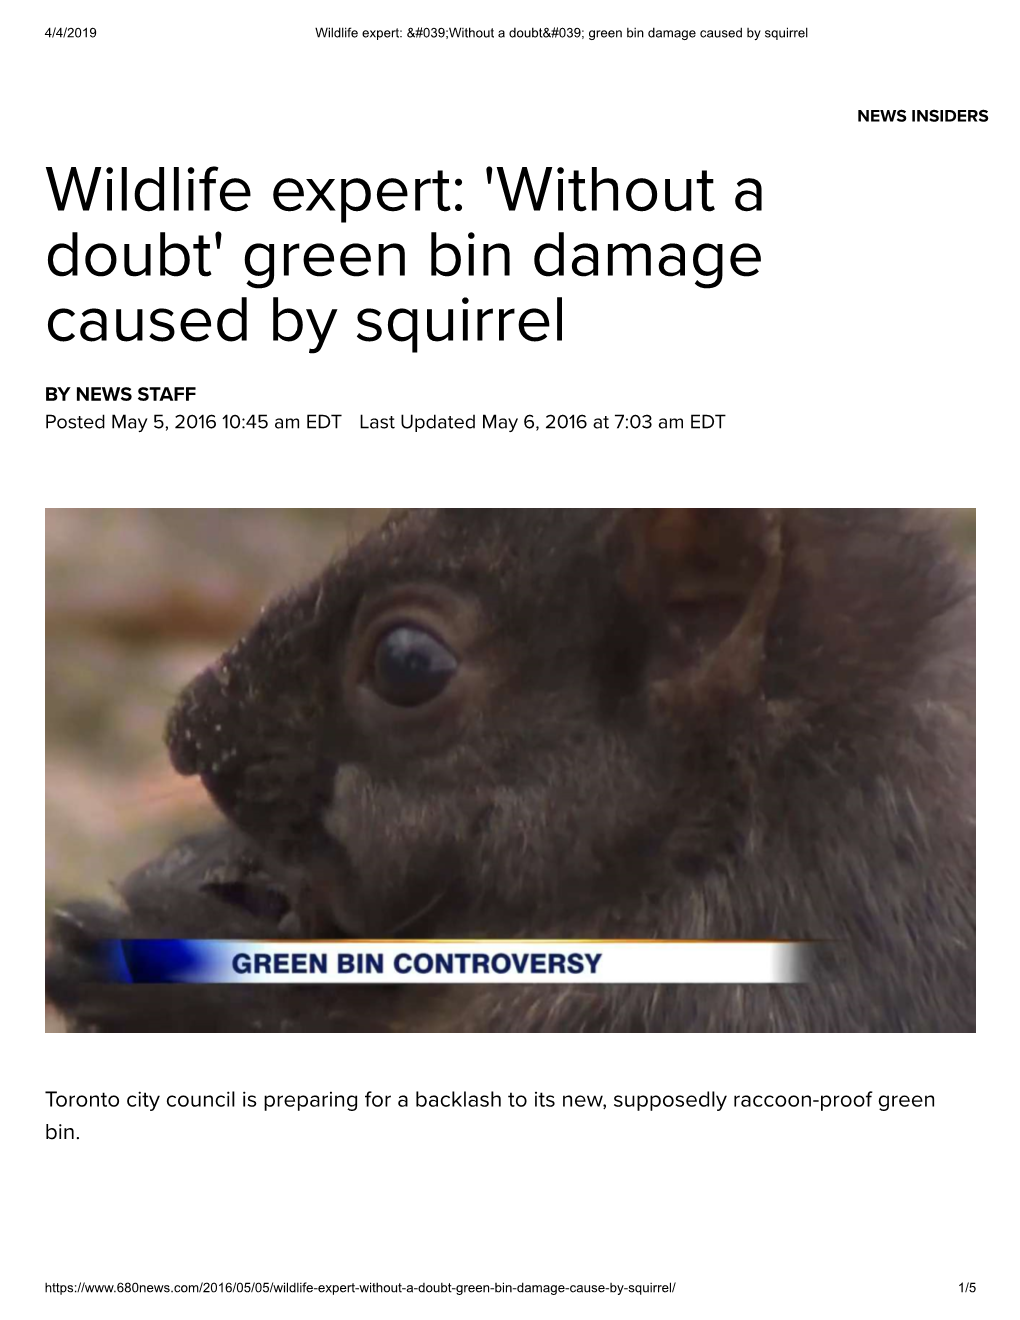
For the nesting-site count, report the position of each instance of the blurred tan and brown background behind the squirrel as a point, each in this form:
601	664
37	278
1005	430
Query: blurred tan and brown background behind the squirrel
138	601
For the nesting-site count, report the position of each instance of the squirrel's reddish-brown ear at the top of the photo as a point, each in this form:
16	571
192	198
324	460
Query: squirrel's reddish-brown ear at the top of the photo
713	576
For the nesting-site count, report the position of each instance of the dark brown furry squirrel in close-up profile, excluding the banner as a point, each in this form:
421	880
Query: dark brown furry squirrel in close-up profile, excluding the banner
592	724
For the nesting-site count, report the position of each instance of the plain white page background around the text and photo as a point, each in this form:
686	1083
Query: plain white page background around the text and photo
868	361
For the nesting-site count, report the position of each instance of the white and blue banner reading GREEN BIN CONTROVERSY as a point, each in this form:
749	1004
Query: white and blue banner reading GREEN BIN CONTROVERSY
460	962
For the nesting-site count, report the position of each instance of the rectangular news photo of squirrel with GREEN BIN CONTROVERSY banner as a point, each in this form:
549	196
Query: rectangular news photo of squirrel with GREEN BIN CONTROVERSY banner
510	770
